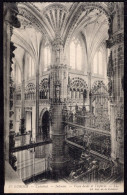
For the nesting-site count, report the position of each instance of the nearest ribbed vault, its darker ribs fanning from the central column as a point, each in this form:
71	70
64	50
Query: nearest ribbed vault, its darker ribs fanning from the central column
60	18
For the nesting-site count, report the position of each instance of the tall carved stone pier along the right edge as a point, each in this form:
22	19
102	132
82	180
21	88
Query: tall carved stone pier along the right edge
115	76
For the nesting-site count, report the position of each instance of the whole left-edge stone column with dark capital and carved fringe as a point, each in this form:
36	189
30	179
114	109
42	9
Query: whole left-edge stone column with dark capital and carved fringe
9	19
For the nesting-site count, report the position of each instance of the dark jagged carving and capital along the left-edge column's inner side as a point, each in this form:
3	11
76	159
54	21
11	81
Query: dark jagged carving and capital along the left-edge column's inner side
10	17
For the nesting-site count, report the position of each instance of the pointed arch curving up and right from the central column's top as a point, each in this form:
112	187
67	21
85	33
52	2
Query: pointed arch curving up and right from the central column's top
80	12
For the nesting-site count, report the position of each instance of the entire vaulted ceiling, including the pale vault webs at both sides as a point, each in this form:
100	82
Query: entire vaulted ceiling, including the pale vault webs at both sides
45	21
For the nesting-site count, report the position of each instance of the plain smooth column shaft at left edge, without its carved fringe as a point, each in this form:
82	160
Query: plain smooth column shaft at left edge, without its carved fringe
6	69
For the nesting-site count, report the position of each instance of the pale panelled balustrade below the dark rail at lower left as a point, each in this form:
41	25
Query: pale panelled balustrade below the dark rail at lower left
29	166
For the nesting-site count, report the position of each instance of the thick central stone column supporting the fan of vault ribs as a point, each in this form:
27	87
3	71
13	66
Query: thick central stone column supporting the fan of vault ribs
58	96
